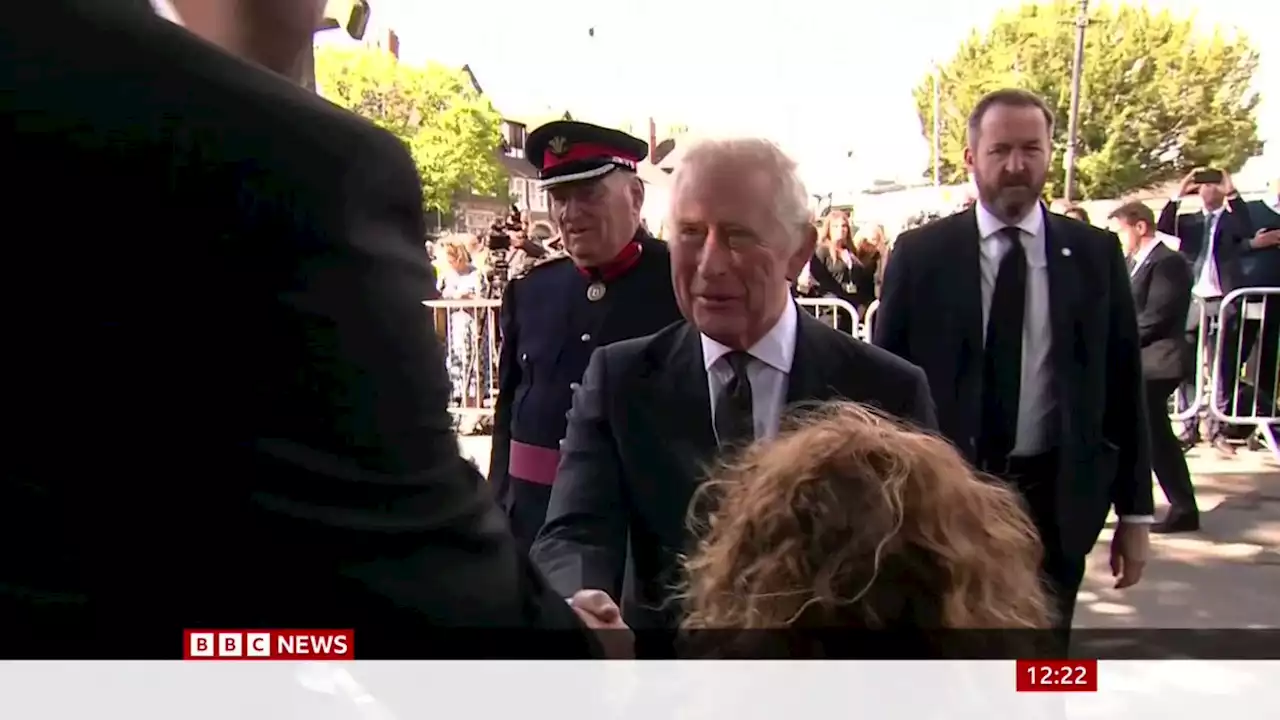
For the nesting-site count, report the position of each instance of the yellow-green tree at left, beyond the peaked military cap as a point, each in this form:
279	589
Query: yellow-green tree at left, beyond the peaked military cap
450	129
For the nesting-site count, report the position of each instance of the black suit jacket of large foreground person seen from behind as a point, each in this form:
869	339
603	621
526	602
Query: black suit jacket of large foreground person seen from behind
228	405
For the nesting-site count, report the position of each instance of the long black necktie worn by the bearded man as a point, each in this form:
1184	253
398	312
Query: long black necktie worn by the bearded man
1003	357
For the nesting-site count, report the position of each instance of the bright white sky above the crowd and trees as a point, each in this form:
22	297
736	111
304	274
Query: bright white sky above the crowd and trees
820	78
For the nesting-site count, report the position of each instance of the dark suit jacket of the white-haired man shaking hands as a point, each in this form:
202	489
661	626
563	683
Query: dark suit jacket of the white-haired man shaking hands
641	440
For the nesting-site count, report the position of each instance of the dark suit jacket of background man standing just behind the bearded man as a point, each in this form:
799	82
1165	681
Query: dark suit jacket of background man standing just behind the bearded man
1163	295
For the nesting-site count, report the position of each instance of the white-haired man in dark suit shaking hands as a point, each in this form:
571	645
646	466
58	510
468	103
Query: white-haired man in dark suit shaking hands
653	413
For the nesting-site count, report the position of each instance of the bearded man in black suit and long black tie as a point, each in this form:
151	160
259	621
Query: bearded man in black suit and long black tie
1023	322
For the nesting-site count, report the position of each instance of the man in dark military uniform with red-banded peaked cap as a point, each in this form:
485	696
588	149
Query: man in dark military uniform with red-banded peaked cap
612	284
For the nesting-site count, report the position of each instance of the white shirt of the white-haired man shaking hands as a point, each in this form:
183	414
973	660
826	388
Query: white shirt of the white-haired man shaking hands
769	371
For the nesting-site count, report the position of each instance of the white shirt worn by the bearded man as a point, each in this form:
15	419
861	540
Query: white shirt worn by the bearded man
1036	402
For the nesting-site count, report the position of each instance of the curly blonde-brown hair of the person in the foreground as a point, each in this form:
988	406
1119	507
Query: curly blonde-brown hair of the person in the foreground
853	521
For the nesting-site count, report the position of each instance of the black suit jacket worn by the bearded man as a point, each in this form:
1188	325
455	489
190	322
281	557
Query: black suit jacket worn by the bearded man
931	316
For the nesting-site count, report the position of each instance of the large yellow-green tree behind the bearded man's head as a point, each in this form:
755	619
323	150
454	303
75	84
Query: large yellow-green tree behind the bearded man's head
1158	95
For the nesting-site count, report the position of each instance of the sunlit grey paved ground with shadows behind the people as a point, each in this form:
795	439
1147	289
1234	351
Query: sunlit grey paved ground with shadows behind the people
1228	576
